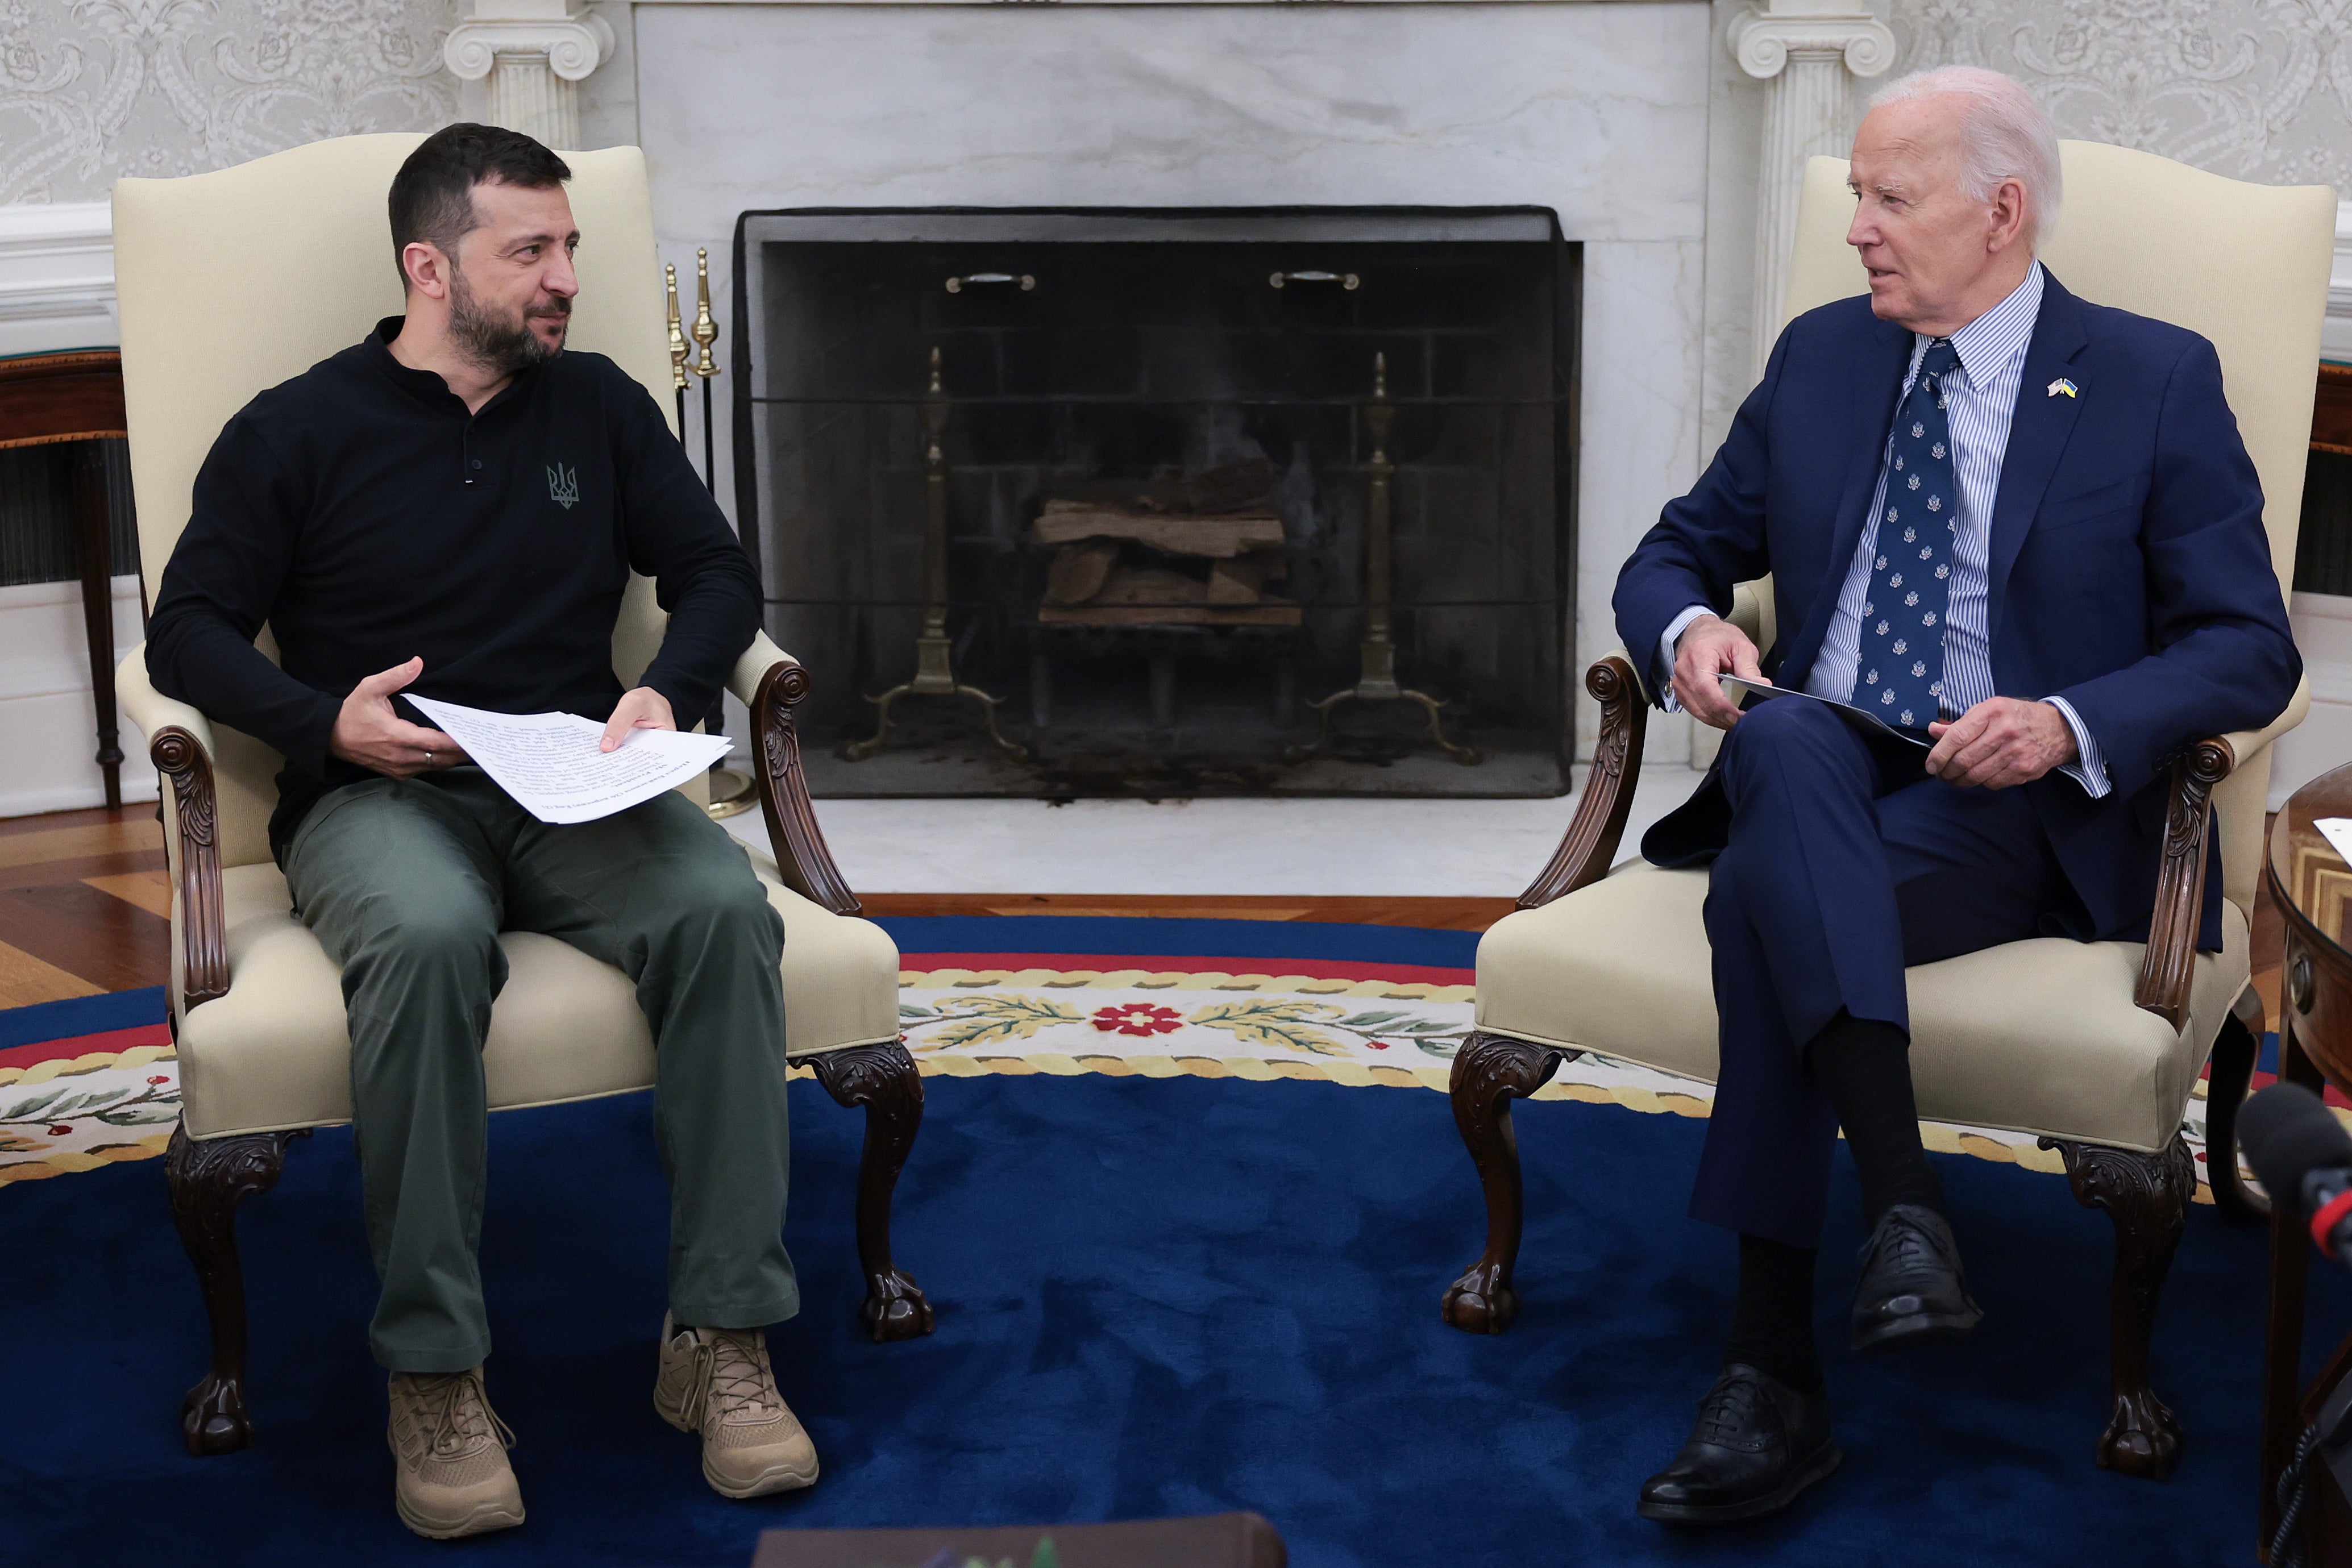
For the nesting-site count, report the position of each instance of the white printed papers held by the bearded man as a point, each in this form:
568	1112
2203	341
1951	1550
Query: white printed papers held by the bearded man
552	763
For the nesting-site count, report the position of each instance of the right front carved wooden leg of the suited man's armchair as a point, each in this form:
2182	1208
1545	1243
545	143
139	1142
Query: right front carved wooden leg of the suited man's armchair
2149	1198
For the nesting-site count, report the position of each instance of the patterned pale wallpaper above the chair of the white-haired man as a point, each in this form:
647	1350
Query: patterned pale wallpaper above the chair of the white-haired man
2247	88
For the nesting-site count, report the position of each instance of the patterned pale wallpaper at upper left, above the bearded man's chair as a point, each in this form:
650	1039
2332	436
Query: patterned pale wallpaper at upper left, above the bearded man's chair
93	91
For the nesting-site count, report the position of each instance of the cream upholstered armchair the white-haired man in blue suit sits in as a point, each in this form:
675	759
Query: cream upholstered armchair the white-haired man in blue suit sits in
2094	1047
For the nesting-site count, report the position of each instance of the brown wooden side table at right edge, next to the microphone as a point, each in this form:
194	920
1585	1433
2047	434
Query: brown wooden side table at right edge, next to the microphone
2313	890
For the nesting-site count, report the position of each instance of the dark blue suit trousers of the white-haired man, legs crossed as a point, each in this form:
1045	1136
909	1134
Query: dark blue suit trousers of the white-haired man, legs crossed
1845	864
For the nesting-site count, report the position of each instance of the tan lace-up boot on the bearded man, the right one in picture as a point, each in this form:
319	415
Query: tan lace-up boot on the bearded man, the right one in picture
716	1381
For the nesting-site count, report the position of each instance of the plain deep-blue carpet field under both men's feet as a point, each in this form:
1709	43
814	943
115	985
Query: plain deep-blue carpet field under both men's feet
1154	1299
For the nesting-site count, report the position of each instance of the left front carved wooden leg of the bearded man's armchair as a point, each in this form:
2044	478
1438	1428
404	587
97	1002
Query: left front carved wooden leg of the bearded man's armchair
208	1181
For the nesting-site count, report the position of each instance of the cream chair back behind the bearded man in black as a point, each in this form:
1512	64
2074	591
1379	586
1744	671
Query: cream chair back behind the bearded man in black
250	276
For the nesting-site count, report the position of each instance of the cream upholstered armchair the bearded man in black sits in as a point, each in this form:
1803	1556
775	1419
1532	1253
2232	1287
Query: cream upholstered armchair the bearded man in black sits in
234	283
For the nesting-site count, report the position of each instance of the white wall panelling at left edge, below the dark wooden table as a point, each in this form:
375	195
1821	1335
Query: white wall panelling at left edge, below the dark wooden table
48	725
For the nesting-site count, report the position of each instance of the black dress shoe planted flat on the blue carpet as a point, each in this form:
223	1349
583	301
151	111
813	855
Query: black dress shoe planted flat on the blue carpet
1756	1447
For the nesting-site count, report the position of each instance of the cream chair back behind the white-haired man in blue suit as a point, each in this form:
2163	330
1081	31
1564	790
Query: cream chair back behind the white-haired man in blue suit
2243	264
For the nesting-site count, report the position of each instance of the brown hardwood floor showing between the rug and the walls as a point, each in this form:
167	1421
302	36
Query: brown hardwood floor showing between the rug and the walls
86	909
